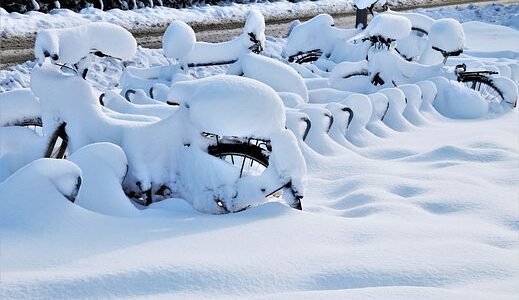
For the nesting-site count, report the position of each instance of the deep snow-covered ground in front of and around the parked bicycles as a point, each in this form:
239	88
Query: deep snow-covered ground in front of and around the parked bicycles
427	213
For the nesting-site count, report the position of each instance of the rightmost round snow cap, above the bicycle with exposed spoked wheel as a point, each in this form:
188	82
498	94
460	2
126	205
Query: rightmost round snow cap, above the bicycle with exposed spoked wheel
447	35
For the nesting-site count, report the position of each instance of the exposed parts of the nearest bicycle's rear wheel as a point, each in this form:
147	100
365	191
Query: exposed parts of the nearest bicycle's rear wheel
252	158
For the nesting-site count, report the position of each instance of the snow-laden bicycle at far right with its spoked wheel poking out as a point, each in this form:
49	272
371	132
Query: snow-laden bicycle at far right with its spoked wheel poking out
384	66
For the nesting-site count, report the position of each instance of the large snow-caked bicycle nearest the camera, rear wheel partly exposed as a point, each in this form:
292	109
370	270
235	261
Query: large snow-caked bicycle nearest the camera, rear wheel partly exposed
224	148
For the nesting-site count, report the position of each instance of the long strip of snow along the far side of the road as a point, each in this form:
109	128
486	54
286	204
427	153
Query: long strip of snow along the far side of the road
31	22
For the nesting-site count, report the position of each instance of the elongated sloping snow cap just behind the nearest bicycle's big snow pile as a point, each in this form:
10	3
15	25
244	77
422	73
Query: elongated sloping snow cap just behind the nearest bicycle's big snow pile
274	73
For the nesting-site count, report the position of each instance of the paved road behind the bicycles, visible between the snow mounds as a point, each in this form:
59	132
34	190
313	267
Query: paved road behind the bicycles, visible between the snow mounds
16	50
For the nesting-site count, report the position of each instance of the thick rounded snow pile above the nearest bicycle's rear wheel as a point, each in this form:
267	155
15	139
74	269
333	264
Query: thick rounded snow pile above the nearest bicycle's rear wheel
231	105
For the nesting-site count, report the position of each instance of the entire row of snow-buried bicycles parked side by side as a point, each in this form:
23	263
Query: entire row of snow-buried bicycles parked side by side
329	87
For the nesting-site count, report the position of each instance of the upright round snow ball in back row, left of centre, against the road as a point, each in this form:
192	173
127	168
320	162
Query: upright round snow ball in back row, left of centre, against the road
178	40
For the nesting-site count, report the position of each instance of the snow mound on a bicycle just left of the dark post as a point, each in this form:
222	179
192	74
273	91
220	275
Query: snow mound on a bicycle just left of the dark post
317	33
